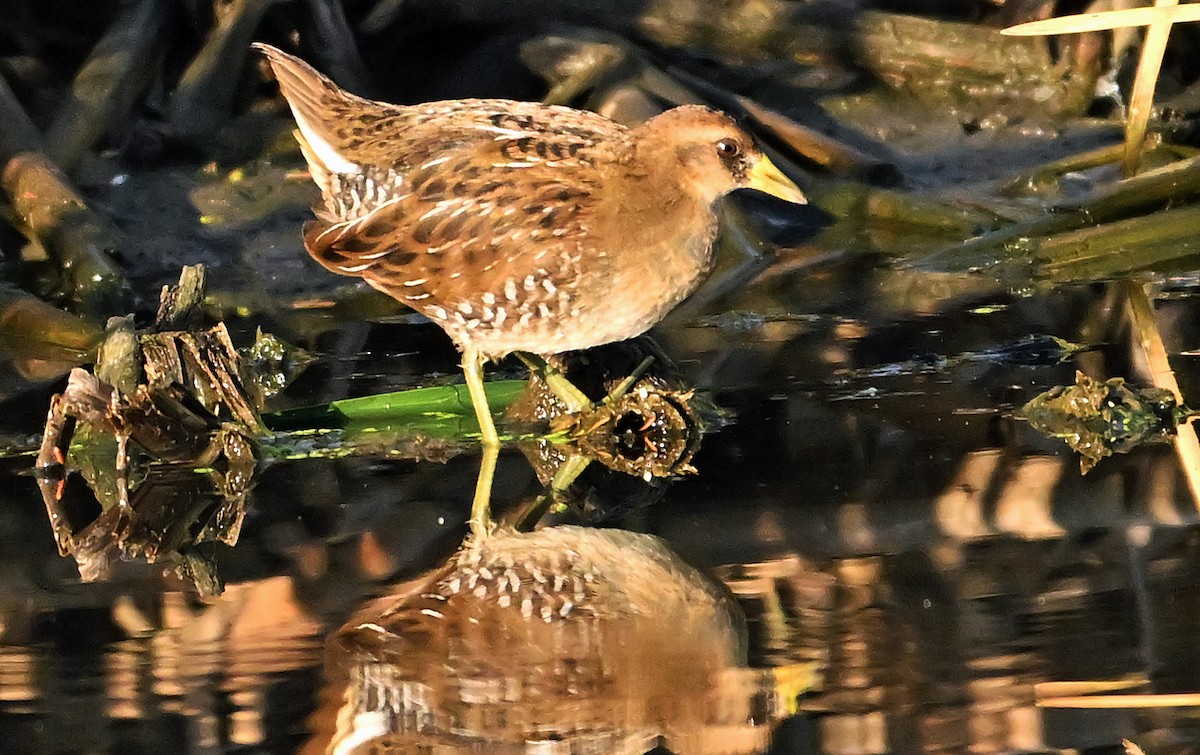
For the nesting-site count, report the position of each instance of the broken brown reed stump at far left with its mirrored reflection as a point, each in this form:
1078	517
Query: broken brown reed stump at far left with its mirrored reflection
164	436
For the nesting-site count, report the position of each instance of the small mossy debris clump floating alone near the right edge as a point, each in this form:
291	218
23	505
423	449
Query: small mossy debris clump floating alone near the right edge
1101	418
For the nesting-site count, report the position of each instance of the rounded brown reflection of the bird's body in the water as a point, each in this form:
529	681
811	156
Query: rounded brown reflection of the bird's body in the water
597	640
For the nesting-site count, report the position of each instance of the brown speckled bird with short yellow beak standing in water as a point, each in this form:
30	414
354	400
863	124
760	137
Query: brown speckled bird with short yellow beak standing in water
518	227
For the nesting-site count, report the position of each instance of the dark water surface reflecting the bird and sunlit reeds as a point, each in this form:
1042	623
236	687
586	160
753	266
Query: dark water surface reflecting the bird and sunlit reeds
880	522
